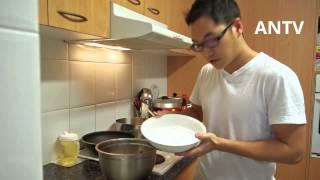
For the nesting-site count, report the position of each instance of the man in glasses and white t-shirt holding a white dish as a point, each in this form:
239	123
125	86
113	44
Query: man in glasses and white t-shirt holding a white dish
252	105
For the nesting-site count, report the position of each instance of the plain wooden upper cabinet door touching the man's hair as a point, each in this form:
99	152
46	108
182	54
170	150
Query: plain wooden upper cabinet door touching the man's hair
178	11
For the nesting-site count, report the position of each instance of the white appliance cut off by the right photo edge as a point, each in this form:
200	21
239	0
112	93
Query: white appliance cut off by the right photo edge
315	146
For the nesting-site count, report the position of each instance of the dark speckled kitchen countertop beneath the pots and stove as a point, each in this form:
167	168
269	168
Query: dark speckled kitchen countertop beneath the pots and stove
90	170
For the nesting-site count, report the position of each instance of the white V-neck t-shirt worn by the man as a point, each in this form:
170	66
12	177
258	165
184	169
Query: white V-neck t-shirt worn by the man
243	106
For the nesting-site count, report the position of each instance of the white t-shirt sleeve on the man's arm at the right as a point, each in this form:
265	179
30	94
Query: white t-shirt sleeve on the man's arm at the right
285	101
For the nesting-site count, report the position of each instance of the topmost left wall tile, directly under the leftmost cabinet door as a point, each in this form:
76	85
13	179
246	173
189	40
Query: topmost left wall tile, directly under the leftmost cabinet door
53	49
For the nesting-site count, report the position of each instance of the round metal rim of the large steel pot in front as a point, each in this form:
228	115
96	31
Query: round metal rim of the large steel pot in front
134	141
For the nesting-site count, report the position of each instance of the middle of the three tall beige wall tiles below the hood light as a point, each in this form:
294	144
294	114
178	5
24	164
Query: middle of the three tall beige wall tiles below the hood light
105	82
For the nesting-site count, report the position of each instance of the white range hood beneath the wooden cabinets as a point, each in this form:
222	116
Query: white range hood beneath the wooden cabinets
138	32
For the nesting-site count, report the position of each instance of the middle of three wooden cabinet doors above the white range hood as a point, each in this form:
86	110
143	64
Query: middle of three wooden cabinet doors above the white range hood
157	10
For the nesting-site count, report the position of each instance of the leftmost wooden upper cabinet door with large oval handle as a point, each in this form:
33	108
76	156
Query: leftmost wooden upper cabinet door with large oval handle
85	16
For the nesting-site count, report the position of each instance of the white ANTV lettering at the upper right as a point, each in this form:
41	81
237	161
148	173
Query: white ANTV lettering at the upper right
279	27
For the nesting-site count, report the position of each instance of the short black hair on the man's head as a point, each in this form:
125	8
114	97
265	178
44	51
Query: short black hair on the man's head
220	11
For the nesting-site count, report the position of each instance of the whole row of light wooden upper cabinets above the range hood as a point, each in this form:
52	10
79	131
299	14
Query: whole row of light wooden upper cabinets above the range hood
93	16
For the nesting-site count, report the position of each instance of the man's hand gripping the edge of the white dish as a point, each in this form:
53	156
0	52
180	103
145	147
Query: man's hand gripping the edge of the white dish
209	142
